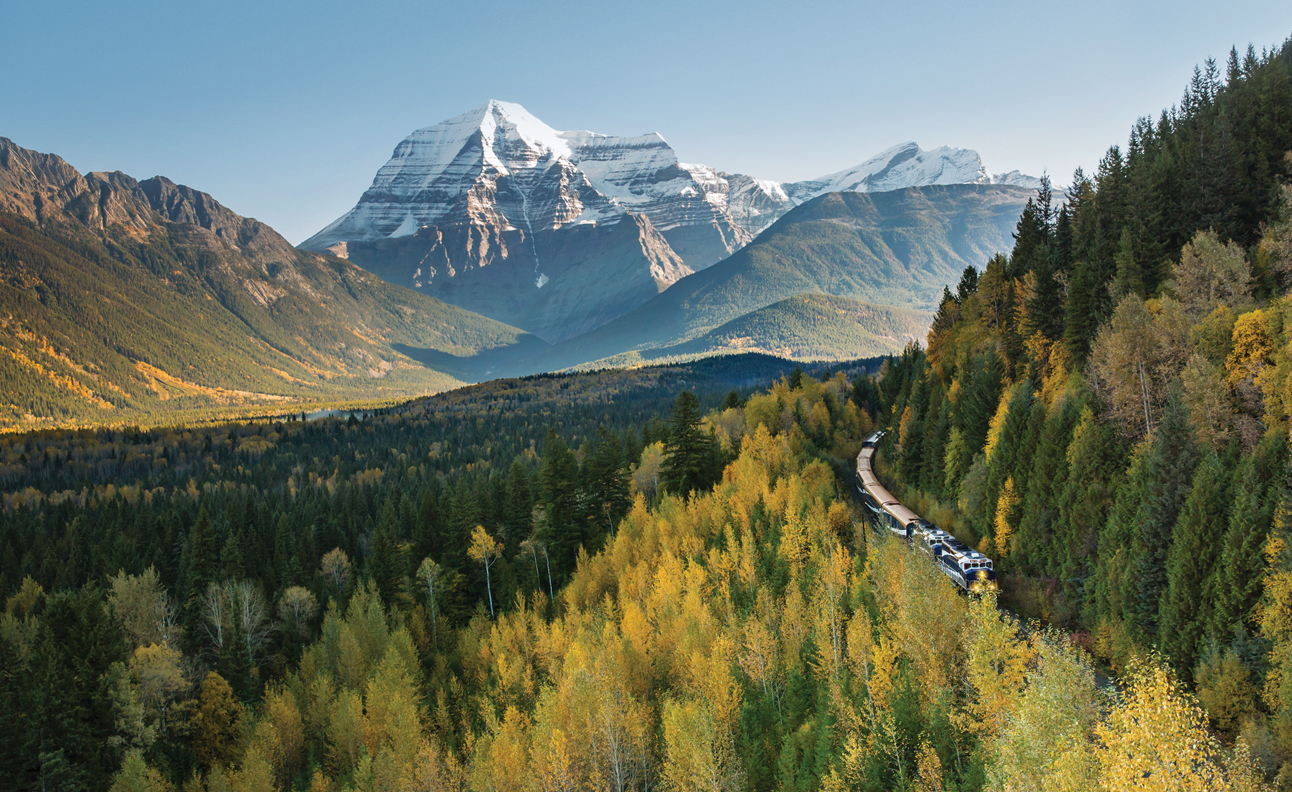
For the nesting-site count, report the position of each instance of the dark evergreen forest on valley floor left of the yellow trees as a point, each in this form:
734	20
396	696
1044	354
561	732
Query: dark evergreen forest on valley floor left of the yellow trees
136	563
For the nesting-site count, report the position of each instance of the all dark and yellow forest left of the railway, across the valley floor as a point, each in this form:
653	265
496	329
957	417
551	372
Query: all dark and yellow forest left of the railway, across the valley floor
671	625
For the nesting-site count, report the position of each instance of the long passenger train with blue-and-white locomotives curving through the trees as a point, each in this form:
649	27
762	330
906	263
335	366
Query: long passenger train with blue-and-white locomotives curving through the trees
967	568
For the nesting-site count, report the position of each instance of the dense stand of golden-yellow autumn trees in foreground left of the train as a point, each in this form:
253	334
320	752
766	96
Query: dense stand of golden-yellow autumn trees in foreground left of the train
651	670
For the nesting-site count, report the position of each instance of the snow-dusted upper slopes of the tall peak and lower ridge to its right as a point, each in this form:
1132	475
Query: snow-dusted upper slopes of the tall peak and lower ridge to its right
499	166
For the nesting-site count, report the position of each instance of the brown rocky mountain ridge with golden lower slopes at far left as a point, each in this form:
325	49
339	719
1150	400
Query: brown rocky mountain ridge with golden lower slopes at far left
121	299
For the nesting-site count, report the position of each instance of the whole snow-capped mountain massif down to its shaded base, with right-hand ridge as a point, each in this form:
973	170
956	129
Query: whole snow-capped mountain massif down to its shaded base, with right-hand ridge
560	233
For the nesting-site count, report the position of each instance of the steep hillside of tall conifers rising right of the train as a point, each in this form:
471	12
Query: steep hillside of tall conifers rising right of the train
1105	412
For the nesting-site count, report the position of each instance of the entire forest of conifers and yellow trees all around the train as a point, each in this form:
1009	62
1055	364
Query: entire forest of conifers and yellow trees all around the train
658	579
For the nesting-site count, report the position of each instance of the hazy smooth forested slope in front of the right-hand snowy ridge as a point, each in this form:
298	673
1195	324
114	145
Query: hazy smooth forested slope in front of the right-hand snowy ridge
884	249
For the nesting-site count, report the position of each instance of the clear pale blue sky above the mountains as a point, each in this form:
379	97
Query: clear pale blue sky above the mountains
285	110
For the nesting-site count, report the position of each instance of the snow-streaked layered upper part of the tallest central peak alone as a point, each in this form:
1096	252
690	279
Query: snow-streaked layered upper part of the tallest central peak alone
499	169
